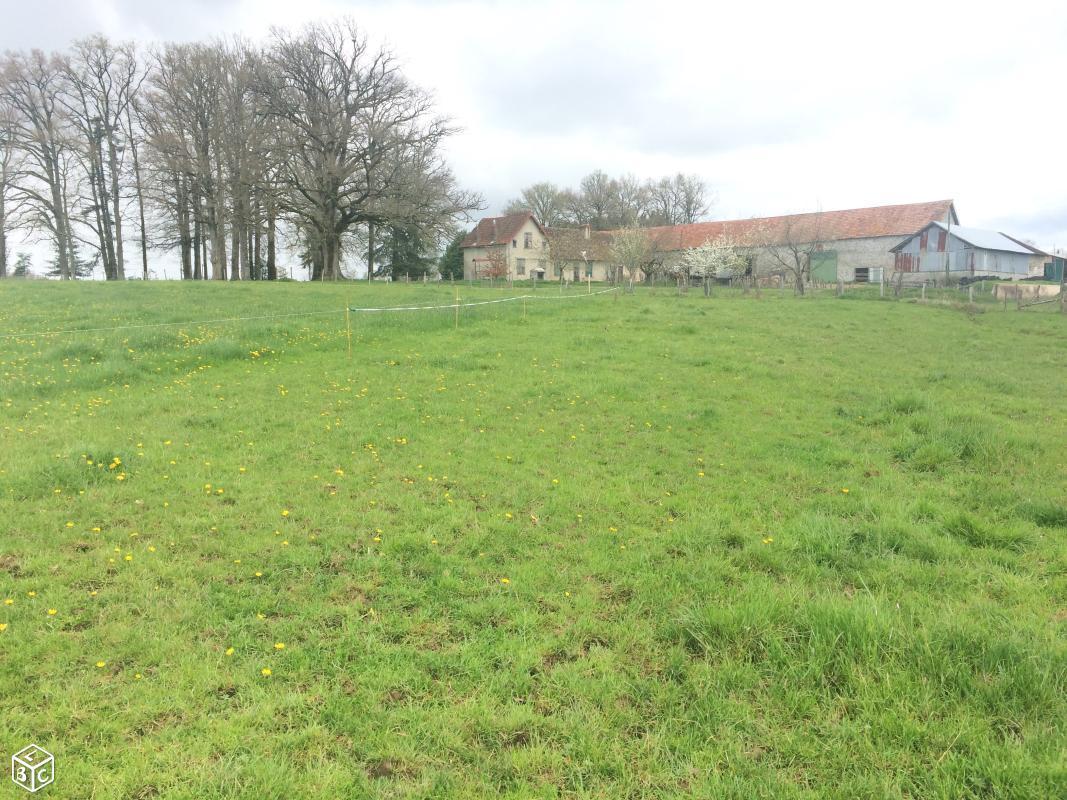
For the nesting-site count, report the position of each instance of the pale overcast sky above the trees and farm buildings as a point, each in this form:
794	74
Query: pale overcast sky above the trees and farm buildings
781	107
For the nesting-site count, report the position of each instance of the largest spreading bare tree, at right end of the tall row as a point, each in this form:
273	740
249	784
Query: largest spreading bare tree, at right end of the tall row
355	127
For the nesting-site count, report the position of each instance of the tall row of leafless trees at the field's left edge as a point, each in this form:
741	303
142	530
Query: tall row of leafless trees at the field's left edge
220	153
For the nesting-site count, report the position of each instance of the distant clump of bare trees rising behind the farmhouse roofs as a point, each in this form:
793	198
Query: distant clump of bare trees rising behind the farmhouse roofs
607	203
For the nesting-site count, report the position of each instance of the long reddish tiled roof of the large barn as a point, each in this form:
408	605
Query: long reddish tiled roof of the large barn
853	223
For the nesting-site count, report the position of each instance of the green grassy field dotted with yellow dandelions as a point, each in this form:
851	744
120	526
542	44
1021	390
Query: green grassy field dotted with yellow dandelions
644	547
